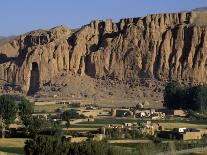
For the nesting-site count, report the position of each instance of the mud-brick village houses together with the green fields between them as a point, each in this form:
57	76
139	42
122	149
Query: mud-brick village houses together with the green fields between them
135	123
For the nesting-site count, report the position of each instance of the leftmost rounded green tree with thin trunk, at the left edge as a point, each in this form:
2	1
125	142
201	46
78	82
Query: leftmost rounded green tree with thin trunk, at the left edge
8	111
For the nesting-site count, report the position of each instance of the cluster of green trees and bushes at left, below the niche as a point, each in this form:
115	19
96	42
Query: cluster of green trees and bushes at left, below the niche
11	105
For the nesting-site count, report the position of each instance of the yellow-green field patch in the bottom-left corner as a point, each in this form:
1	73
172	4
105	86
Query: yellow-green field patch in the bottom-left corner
12	146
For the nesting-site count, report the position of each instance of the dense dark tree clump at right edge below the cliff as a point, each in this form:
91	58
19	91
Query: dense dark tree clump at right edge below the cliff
193	98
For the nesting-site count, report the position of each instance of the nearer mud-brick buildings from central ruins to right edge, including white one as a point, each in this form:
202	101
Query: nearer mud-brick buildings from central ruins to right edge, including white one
149	128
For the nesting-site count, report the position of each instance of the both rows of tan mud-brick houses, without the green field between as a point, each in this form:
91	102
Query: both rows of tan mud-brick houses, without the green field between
124	130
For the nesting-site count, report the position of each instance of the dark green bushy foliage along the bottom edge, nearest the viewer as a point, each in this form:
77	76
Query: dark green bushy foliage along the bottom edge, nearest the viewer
54	145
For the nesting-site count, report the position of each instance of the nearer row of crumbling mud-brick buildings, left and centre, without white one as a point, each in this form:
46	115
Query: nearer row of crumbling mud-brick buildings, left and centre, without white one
117	131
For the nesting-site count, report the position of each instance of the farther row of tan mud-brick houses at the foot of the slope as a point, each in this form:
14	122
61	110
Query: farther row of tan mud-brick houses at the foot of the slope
139	112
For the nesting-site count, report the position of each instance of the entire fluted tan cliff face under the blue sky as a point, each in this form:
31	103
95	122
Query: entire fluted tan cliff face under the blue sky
162	47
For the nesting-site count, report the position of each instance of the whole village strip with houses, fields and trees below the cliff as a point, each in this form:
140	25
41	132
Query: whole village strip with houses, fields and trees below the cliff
75	122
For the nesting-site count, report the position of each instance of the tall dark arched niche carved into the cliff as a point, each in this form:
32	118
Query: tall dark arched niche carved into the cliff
34	80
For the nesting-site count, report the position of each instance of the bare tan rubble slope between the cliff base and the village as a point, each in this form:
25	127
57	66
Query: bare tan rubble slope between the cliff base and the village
102	91
